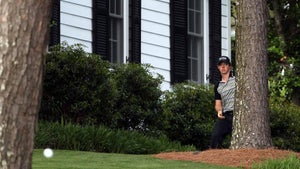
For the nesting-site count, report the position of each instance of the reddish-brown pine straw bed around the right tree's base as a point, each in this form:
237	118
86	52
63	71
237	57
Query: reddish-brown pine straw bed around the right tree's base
226	157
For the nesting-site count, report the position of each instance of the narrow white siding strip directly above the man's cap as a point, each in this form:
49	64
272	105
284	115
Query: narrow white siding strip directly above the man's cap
226	38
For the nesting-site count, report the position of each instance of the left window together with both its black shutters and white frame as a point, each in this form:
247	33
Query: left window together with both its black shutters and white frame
112	32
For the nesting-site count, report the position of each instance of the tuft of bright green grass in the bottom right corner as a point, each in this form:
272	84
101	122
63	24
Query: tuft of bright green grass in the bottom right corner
288	163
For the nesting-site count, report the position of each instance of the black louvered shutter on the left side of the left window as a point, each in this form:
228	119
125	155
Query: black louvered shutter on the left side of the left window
101	29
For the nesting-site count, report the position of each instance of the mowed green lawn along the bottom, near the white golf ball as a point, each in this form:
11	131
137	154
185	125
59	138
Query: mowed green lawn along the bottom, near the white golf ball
65	159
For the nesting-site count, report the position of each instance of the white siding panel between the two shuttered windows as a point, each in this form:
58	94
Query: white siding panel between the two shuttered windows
155	37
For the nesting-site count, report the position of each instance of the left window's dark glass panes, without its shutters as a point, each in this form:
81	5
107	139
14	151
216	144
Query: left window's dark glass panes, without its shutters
116	31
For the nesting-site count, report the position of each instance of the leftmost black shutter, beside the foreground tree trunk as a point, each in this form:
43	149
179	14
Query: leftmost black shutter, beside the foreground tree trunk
55	24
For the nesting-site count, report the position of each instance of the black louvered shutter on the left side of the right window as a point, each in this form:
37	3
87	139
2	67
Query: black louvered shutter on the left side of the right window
179	65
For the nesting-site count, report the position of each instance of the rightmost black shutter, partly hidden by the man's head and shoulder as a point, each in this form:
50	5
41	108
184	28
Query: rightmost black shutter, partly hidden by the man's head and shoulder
214	39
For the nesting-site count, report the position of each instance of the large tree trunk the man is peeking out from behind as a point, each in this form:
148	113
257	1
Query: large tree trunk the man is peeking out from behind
251	116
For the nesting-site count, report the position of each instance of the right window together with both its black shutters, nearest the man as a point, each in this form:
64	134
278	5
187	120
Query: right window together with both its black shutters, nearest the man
195	40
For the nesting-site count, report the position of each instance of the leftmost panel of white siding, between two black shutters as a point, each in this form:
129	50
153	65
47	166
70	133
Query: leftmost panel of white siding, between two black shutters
76	22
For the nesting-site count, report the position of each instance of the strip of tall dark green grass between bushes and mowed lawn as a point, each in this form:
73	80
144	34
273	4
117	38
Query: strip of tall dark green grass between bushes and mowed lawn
101	139
